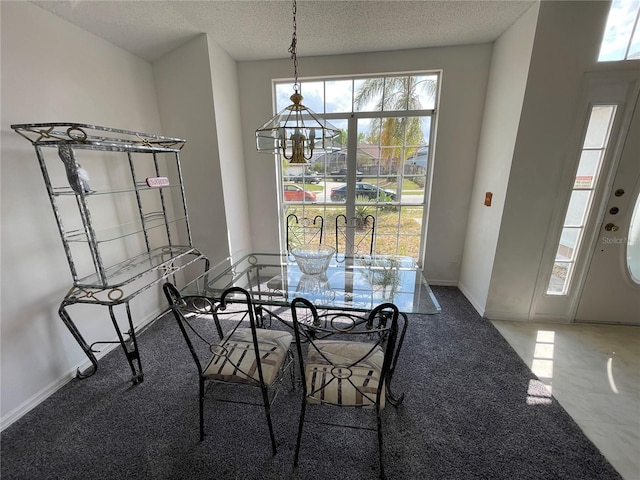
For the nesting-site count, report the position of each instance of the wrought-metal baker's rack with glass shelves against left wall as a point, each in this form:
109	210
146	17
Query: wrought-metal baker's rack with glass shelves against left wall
119	202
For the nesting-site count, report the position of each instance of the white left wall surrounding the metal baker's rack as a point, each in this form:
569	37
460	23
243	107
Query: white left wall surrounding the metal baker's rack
52	72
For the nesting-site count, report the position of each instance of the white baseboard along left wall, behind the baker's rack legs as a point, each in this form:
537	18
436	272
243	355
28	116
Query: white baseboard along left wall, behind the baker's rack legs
36	399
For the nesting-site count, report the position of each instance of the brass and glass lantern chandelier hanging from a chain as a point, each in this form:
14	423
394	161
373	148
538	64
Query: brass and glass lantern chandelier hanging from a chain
296	132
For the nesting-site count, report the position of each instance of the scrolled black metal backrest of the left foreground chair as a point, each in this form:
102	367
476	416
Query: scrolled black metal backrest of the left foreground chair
206	324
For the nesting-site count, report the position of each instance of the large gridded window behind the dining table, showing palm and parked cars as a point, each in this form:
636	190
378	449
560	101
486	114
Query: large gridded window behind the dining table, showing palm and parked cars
383	167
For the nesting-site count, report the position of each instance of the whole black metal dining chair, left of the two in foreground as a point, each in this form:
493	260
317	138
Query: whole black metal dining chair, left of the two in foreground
228	348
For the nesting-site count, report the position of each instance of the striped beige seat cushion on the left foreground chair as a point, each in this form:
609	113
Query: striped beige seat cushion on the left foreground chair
234	358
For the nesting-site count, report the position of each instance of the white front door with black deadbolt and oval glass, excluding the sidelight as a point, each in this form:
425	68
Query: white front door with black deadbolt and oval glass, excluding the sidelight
610	292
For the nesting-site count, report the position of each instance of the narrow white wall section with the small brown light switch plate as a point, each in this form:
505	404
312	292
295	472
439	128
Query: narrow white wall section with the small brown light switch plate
505	94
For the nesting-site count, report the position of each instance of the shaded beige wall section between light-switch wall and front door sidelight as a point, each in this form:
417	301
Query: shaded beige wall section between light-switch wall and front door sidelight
566	45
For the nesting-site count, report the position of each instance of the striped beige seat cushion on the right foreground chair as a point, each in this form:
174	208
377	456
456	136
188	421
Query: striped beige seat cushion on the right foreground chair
339	385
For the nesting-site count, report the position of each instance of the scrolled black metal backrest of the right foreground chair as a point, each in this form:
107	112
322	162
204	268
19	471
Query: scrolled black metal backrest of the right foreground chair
343	349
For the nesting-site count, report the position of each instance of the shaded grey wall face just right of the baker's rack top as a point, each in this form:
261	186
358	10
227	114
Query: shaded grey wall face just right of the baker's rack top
186	103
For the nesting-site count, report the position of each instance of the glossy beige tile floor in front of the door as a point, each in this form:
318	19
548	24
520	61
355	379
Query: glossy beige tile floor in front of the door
593	371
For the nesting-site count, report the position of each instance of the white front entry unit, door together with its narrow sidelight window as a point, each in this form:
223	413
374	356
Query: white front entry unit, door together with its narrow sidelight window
584	275
